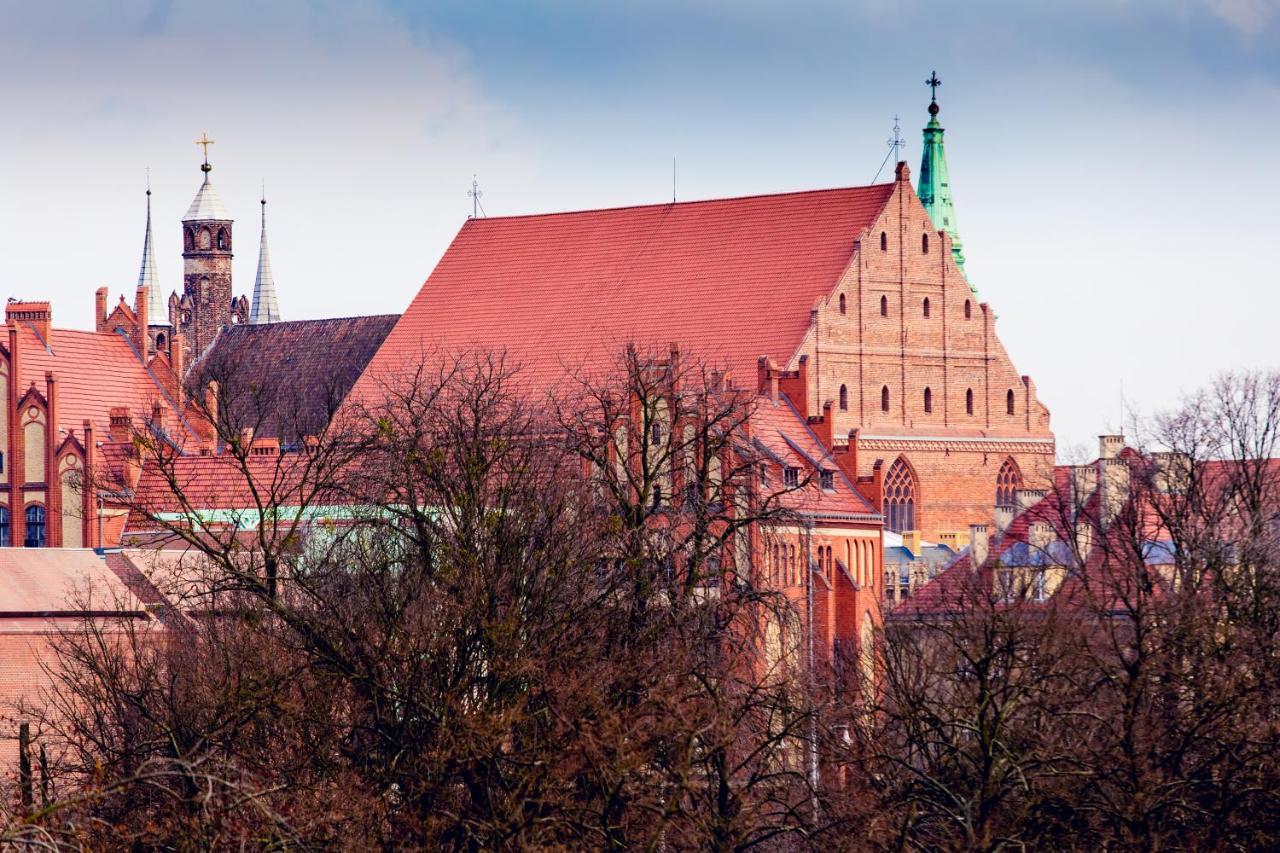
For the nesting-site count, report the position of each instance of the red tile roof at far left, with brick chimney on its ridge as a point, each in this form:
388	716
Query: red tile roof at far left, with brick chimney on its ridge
94	372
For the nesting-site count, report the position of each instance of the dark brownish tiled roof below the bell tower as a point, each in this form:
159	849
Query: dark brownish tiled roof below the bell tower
286	380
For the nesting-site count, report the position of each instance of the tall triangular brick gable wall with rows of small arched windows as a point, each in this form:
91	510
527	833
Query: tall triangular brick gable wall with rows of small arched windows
907	353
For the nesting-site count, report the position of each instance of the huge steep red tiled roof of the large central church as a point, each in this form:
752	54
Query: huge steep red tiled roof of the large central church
728	280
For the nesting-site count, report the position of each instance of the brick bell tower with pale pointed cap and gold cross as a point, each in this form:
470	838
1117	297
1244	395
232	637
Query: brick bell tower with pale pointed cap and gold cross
207	303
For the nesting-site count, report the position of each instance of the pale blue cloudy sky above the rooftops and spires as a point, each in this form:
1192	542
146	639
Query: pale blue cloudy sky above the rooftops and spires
1114	162
